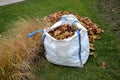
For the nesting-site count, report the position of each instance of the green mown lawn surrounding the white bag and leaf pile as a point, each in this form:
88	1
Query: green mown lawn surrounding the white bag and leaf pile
107	49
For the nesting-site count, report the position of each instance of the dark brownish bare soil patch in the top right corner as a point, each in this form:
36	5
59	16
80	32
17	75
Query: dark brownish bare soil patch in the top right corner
111	12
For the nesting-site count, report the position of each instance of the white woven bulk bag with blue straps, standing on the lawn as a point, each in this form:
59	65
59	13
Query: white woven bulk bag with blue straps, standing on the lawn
72	51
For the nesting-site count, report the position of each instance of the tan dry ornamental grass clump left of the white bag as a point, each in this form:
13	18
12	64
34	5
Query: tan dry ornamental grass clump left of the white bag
18	52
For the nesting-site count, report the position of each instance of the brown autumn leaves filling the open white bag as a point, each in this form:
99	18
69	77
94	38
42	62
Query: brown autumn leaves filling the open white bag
63	31
